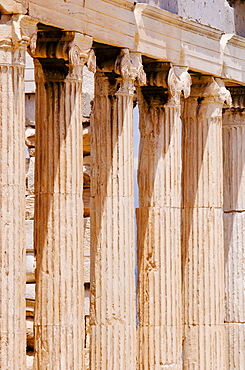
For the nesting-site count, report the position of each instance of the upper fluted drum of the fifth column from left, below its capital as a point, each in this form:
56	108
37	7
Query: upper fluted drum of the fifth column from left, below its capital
206	186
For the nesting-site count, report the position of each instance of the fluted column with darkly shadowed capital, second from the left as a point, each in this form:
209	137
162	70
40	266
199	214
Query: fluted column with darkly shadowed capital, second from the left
58	227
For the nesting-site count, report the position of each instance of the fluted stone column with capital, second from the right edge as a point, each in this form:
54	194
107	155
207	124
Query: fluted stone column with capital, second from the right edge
202	227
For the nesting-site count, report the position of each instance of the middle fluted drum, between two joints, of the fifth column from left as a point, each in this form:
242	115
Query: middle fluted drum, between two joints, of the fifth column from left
203	276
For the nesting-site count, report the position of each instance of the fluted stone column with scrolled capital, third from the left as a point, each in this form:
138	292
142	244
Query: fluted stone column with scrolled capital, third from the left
113	308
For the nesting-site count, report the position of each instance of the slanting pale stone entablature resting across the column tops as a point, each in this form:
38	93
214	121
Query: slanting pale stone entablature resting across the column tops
151	31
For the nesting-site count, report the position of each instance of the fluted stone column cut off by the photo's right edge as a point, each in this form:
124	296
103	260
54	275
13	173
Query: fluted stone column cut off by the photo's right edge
234	230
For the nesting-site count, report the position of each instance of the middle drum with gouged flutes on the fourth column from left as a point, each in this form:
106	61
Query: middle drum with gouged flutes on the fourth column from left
159	268
